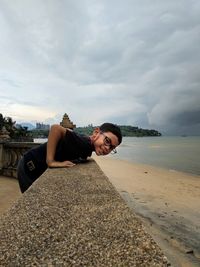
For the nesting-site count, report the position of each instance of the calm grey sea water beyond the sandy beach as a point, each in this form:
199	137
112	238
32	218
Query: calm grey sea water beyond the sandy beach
178	153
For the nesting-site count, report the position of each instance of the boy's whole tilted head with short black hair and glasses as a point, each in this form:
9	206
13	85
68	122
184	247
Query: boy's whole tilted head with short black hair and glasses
106	138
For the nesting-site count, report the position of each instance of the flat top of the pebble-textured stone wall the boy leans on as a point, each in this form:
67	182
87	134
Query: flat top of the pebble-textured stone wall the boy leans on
75	217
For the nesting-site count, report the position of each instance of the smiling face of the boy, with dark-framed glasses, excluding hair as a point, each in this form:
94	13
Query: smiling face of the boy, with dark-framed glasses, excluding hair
104	142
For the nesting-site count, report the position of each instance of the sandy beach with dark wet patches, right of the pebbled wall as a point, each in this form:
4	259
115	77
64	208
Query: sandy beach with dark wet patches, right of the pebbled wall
167	202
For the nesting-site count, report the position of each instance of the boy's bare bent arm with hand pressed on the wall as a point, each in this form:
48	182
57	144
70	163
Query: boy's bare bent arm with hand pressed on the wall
55	134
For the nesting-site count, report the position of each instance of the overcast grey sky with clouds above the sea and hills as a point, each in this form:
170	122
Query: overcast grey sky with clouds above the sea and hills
133	62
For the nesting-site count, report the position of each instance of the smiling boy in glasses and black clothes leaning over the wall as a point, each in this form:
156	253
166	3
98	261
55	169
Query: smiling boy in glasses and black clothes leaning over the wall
65	148
